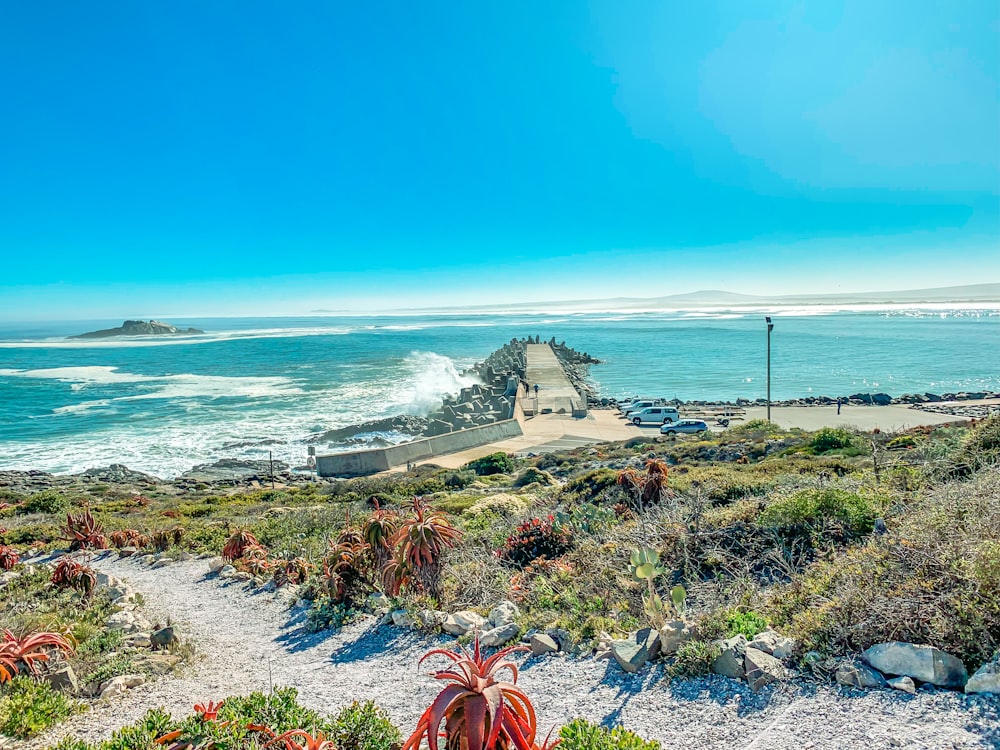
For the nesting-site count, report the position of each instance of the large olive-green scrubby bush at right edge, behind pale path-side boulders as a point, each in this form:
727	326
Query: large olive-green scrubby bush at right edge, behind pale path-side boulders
932	579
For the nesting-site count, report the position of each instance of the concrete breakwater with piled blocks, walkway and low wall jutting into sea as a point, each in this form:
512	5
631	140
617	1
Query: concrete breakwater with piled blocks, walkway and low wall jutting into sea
485	412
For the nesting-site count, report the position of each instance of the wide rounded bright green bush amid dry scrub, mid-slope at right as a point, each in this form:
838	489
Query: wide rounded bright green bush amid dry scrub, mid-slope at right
818	506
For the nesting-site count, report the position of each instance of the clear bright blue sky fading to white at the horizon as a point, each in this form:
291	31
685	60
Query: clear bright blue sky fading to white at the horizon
183	157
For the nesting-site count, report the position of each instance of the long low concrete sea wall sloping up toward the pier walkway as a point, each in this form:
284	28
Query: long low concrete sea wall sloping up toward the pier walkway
360	463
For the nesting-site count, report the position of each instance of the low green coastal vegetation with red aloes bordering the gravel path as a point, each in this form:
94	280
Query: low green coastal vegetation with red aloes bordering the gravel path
840	540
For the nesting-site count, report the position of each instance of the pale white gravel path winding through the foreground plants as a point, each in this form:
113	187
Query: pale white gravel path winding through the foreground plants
248	641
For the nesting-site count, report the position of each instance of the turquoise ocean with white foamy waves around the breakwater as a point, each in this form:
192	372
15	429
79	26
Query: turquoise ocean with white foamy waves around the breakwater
250	386
